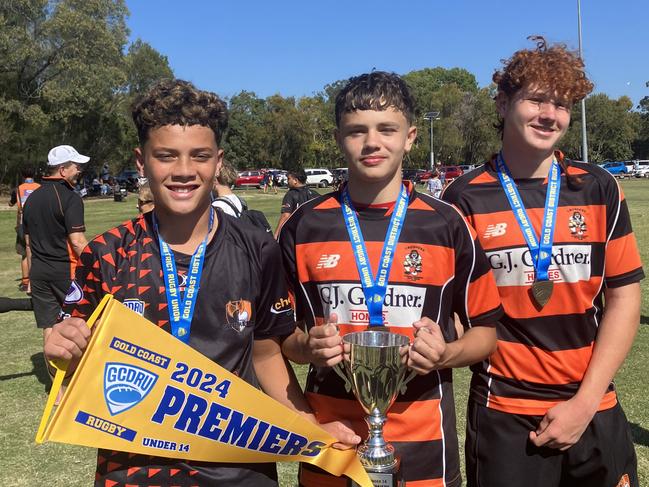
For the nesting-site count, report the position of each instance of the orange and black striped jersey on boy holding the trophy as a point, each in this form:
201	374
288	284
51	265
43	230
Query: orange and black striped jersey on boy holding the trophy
439	269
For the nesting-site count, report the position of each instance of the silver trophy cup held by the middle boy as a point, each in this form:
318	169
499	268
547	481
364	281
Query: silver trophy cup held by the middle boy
375	368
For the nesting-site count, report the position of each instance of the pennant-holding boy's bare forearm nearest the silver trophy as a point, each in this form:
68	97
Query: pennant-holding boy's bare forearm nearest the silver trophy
276	377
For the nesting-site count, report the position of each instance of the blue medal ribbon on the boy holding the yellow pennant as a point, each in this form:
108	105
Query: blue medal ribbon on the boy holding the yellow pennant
181	308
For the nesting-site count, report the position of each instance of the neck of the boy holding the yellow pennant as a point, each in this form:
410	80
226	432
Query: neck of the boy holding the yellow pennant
184	233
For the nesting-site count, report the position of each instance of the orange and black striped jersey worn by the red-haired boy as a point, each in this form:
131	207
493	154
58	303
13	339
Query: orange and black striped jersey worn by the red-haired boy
543	354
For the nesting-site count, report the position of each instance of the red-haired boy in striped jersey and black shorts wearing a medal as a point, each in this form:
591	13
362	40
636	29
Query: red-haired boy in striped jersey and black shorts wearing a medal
543	410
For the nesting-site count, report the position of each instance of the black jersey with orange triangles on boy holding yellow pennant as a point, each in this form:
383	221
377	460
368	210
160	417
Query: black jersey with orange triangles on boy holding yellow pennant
242	272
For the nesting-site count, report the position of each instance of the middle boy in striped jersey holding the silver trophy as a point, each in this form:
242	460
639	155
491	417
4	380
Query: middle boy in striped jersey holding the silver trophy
378	253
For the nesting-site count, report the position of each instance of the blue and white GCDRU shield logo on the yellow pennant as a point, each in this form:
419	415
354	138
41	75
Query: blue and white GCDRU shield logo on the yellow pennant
126	385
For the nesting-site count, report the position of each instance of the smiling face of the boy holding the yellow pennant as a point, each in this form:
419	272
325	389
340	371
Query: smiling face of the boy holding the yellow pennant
180	163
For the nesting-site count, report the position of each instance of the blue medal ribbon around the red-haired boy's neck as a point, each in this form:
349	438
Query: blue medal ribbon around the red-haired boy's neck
541	251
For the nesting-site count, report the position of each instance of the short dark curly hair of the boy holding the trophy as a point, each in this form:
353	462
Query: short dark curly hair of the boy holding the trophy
377	90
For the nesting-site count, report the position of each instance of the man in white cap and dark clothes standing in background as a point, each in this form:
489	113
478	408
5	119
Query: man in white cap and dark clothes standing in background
54	226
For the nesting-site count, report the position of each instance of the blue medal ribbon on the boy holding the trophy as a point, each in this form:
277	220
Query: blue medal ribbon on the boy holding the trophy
374	289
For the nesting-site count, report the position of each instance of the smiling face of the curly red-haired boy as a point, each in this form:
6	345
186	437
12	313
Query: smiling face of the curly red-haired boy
534	117
